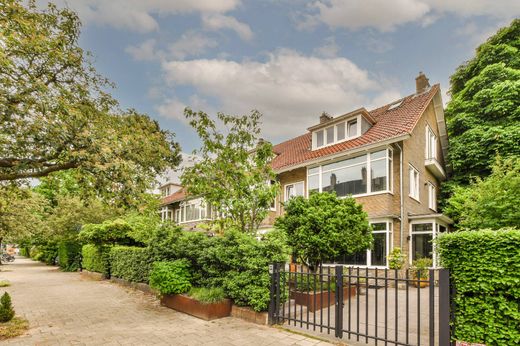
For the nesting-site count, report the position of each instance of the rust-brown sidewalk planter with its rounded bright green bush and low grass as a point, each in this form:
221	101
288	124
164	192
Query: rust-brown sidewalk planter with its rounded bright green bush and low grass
172	281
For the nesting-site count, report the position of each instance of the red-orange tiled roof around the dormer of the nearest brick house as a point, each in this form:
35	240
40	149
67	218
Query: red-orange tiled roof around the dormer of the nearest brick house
390	123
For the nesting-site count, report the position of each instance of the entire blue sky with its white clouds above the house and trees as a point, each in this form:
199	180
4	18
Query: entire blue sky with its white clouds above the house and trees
289	59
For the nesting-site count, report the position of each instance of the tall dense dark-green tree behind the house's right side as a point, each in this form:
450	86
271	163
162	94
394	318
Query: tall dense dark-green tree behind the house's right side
483	116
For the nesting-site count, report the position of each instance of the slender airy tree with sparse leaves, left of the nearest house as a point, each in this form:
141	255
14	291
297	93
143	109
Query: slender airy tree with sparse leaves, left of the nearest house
234	174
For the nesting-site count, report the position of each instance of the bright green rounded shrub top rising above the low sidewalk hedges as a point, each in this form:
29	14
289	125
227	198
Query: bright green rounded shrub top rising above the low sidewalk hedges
108	232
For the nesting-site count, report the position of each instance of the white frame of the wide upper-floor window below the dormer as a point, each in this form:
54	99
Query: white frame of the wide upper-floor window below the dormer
389	173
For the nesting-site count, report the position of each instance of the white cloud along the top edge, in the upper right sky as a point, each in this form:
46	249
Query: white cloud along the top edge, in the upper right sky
386	15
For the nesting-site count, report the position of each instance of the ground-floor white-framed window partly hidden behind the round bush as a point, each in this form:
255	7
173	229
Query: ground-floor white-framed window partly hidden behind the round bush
375	257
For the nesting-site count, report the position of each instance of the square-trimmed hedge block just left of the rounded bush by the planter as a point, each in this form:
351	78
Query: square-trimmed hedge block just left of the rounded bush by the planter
130	263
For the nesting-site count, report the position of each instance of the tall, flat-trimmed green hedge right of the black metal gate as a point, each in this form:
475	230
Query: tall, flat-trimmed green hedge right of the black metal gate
485	269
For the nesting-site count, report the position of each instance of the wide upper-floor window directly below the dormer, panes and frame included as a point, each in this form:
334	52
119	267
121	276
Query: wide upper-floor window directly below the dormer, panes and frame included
369	173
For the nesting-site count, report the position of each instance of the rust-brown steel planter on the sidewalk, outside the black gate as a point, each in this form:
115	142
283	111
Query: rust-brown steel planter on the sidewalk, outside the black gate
190	306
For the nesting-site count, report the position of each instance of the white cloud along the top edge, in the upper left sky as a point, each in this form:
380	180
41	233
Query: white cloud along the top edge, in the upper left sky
138	15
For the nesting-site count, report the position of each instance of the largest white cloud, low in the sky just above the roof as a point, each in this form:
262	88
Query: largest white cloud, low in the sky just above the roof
290	89
